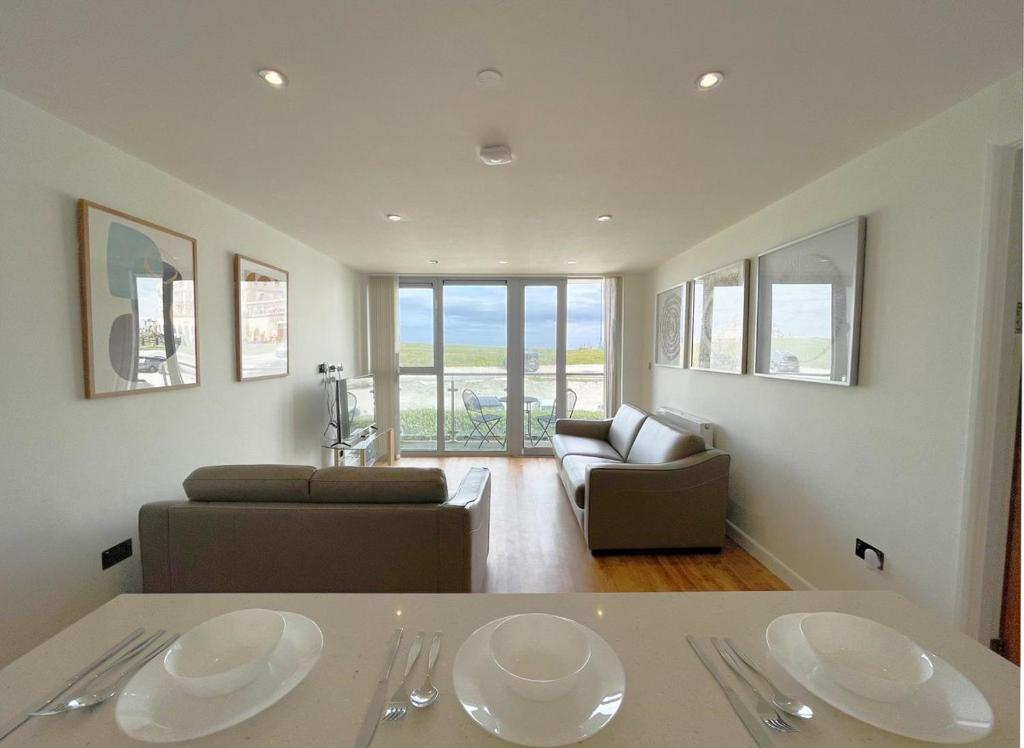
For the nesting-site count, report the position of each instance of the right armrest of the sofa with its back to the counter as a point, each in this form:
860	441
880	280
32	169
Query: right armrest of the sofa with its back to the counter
465	534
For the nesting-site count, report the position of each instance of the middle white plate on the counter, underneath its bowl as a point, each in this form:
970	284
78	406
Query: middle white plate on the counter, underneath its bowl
578	716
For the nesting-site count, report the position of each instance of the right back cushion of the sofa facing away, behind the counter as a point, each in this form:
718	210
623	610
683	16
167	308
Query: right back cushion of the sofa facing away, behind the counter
379	486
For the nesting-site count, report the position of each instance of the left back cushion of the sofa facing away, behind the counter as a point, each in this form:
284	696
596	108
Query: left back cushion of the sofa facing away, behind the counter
249	483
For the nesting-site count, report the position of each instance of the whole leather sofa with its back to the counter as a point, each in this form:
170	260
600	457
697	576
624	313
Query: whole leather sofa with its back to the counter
296	529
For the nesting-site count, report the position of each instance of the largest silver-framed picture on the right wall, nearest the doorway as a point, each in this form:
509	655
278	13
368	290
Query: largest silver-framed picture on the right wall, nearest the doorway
808	308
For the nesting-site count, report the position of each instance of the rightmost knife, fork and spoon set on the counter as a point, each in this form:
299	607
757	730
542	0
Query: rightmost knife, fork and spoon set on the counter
774	710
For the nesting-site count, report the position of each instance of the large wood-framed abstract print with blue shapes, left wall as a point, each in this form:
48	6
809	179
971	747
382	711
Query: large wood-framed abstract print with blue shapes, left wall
140	307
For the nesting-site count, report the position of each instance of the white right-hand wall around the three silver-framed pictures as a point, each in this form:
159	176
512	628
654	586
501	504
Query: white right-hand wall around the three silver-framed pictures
816	467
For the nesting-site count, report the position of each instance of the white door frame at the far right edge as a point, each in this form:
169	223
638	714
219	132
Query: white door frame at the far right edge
995	384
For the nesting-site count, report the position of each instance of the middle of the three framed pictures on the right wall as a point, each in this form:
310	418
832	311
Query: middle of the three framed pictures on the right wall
718	320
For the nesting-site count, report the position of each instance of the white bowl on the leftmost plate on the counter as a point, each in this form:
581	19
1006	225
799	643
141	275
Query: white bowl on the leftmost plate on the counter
226	653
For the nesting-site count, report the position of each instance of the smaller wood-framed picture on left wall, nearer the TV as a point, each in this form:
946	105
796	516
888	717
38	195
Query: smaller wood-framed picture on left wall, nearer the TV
262	320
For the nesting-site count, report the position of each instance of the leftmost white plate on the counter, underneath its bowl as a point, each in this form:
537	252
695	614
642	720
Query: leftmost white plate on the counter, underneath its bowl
154	709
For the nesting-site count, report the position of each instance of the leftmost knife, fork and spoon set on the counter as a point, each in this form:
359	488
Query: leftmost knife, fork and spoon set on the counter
102	680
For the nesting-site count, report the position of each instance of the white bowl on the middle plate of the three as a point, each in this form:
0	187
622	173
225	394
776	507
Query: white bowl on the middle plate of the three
540	656
